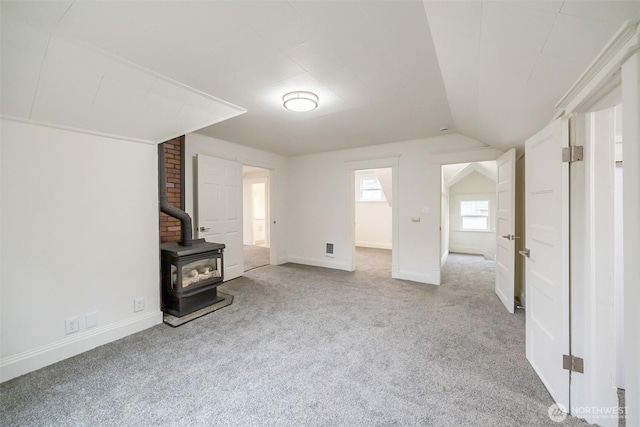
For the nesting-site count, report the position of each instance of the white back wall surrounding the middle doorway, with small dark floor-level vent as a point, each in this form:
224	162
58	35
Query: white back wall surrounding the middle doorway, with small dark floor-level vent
320	197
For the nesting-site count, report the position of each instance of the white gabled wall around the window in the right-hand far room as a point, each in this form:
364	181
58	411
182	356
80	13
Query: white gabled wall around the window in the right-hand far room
472	242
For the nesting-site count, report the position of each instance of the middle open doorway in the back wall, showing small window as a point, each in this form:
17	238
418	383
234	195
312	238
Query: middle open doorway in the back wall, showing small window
373	219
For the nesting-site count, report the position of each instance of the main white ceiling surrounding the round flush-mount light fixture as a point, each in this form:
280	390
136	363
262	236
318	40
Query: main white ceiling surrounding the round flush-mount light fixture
385	71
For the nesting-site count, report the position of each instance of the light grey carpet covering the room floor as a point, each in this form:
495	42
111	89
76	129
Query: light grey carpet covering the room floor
308	346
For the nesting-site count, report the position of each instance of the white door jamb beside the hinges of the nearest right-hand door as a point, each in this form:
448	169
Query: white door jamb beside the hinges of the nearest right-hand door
592	327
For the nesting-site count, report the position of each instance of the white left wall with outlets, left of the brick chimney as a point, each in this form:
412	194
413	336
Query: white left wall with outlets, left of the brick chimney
79	225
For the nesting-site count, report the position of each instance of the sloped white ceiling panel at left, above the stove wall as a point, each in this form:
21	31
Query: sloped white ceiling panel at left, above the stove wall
49	80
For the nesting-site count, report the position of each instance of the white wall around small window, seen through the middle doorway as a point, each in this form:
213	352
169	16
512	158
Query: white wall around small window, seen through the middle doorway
374	219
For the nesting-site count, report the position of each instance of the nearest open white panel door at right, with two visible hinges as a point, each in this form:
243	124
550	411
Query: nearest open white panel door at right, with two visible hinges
547	266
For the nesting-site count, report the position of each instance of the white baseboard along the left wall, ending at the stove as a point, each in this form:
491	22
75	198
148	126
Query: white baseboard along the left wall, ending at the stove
31	360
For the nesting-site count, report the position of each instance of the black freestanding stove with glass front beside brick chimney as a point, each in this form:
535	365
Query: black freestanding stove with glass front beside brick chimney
190	276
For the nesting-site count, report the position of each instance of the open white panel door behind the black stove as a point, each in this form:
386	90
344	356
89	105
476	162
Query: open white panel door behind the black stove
219	209
